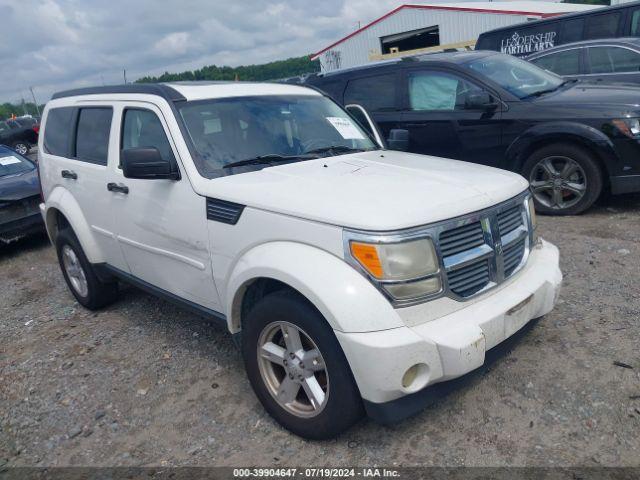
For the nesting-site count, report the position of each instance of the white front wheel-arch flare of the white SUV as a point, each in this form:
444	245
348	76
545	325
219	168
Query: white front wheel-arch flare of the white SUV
348	301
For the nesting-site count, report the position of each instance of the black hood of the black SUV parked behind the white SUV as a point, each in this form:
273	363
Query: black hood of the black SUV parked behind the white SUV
595	96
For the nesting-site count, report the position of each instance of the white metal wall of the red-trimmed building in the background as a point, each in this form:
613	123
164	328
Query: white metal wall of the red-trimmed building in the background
455	26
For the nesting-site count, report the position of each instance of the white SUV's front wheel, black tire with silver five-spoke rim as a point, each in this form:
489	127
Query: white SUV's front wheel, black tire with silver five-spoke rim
297	368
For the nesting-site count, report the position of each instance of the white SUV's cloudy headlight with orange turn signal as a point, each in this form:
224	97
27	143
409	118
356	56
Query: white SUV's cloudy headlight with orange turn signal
405	269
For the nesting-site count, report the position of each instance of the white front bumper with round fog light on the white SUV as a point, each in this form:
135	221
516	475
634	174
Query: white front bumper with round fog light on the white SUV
451	344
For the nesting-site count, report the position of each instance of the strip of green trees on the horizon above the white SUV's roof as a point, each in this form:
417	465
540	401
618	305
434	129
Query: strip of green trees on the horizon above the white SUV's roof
280	69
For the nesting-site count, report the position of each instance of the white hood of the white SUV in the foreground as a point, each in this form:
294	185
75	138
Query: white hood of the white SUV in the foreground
378	190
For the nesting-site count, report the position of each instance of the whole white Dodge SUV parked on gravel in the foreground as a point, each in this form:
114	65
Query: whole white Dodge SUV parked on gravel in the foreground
352	277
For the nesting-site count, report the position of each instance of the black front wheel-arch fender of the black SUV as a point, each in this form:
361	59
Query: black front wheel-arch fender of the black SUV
549	132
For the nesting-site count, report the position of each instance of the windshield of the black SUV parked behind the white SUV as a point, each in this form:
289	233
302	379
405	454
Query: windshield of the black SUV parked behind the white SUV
522	79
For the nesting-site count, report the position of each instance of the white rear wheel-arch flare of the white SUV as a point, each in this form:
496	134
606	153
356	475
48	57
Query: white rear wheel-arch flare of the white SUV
60	200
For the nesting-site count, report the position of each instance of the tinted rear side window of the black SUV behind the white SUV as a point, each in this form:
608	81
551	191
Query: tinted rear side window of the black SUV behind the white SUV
373	93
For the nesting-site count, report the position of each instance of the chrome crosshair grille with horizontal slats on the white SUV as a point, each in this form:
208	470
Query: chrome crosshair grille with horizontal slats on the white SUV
484	249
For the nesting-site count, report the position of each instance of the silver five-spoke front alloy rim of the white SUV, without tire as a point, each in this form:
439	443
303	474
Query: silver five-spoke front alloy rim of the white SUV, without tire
293	370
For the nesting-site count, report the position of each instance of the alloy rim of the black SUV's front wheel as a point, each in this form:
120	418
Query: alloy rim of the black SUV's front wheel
558	182
